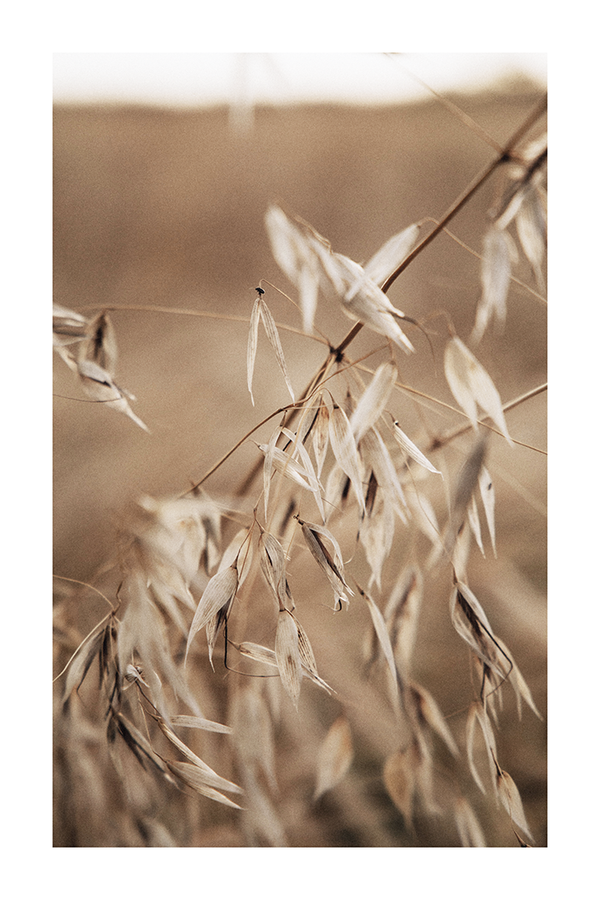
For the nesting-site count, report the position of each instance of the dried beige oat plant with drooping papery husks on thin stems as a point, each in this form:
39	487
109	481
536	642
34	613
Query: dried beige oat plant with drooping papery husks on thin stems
193	564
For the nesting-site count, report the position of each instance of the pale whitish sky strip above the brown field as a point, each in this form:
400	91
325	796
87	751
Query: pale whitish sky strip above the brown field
206	78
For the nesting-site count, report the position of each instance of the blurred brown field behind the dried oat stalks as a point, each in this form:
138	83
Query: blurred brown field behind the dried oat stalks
163	207
